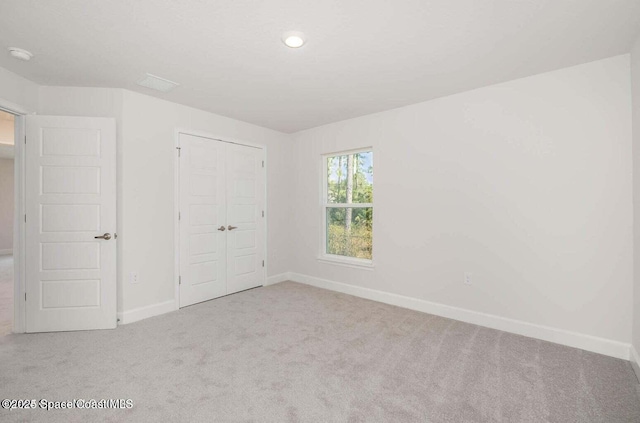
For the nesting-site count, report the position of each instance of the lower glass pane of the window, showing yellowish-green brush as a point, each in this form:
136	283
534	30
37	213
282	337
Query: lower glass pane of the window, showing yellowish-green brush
349	231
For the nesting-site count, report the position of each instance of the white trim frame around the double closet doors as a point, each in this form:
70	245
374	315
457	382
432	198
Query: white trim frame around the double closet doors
176	198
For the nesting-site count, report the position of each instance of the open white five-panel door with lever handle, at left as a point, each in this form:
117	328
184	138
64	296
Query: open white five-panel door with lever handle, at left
70	200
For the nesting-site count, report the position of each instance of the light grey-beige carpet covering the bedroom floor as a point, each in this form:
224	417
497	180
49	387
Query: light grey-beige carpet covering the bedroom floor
293	353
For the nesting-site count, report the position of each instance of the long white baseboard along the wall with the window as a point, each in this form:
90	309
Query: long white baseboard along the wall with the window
559	336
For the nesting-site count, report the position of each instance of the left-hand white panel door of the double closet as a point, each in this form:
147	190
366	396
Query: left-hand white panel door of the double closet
203	240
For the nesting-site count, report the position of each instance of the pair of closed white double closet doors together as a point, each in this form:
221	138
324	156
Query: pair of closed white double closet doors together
221	218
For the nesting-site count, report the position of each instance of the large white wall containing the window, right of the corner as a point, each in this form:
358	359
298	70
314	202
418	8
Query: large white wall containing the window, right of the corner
526	184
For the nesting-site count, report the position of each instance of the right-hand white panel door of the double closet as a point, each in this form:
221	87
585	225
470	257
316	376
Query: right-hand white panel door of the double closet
246	223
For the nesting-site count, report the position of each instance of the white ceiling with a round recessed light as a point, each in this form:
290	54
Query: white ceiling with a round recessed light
362	56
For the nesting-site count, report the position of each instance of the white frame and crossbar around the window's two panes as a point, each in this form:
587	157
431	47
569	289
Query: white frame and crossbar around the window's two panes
325	257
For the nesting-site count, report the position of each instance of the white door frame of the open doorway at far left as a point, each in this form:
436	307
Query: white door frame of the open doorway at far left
19	205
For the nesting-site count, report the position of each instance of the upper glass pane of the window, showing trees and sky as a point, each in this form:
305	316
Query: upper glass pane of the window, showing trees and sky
350	178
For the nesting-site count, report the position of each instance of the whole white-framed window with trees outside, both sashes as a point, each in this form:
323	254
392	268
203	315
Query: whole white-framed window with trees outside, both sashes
347	209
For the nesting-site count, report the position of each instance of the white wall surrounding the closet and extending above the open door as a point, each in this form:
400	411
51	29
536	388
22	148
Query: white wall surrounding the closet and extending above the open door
146	151
